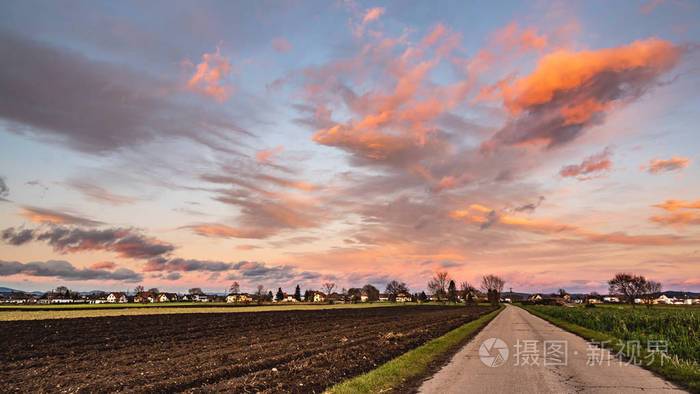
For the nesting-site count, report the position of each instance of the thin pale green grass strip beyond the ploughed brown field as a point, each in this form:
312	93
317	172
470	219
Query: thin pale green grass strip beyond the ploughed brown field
7	314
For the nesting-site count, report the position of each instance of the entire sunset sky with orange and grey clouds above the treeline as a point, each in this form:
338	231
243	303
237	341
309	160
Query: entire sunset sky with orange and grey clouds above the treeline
189	144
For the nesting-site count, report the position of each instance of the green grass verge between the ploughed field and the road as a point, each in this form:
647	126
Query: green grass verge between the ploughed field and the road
395	373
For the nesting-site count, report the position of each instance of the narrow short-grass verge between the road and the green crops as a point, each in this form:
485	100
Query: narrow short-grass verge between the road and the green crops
683	372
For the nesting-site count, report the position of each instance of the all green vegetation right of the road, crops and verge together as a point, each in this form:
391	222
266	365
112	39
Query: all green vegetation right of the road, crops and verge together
613	327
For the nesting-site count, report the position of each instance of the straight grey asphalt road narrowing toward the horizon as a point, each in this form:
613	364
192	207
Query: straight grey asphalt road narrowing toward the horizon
580	368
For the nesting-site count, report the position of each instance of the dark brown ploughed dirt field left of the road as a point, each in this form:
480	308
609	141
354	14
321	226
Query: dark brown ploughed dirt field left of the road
292	351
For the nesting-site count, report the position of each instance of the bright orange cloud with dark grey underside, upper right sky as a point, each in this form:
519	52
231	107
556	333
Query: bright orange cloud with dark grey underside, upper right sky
571	91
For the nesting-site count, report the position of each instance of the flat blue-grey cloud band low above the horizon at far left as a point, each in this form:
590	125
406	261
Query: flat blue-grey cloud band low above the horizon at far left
64	270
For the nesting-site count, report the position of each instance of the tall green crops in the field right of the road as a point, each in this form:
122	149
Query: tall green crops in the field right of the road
680	327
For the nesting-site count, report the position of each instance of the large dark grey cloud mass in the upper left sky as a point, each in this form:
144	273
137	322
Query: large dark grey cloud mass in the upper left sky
119	107
